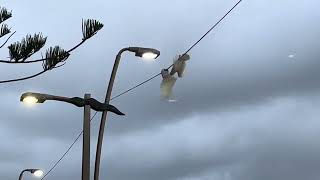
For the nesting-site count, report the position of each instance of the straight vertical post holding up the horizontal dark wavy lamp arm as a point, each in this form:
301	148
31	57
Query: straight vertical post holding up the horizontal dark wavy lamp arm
86	141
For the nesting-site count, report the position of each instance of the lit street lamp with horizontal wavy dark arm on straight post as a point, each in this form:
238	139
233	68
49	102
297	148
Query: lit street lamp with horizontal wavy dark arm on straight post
87	102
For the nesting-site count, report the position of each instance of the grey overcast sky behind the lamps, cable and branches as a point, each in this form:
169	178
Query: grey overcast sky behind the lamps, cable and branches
247	106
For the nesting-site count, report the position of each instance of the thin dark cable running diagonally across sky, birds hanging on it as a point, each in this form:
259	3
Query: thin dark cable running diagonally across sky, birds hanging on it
140	84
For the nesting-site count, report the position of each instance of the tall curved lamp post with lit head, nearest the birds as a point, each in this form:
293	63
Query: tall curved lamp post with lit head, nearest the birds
146	53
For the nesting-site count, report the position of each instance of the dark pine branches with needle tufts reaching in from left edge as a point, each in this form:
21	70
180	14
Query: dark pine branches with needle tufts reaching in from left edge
20	51
